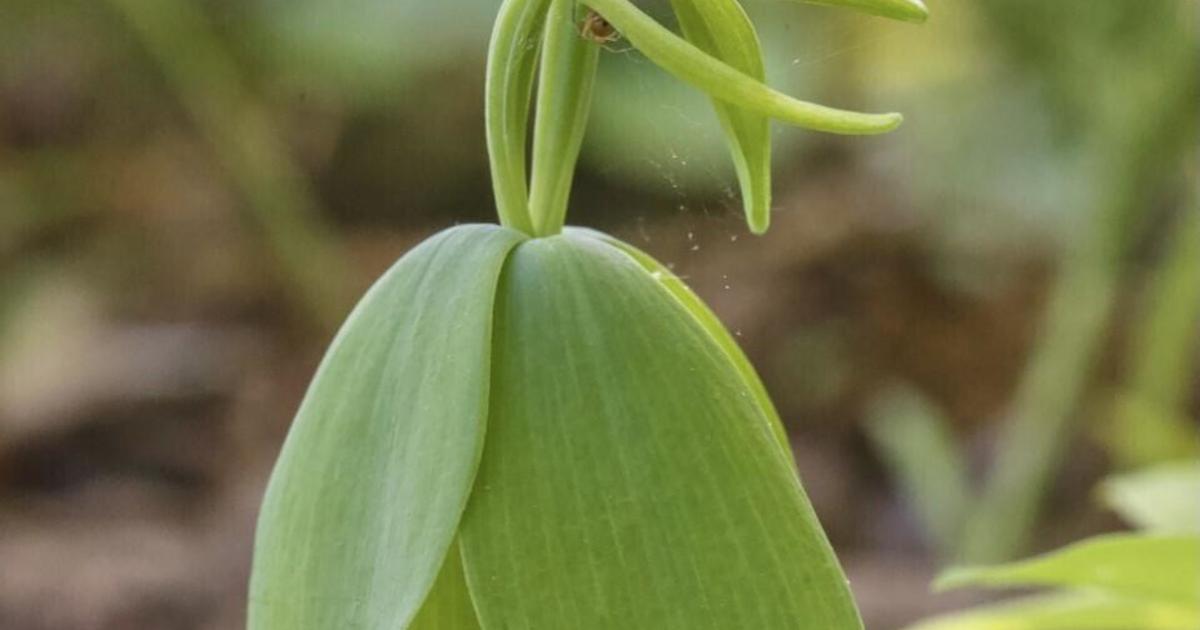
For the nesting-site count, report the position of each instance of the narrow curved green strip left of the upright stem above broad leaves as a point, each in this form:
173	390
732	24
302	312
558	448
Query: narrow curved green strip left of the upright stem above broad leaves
512	67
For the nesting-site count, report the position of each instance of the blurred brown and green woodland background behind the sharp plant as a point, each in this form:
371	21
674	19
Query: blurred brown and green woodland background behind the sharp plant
965	325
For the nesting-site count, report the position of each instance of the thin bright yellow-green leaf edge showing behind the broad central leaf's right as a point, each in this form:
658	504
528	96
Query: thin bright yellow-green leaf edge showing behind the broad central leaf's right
710	322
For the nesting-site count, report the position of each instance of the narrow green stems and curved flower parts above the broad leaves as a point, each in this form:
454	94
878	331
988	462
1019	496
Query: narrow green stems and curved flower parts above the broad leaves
719	53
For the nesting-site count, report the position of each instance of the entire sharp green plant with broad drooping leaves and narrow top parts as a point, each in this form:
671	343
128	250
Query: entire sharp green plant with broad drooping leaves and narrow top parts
530	427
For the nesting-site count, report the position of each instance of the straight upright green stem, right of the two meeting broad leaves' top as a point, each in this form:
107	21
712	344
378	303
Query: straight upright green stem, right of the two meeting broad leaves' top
565	100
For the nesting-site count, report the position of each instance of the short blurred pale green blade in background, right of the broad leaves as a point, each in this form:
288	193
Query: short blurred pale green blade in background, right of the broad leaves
916	443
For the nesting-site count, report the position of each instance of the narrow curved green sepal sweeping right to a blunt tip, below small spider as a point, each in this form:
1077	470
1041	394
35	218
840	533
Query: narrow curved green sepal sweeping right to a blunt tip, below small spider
721	81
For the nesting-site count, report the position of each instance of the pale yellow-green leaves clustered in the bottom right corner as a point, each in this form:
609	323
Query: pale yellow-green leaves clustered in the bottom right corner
1148	580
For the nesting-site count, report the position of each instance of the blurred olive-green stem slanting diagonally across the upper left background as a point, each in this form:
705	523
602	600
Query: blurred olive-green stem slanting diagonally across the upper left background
248	143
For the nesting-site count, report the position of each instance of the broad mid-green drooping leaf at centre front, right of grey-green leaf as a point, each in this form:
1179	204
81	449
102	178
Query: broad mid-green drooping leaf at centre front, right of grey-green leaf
641	488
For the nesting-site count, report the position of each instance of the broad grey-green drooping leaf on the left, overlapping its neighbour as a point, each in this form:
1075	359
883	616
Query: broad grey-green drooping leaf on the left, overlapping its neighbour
369	490
